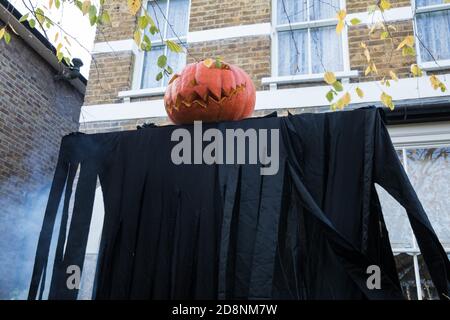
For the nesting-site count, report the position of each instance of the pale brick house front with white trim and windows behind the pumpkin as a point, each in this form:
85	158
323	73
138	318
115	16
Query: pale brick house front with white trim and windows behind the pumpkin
286	46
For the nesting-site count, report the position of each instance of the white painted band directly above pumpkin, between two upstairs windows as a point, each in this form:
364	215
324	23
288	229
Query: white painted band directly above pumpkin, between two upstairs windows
249	30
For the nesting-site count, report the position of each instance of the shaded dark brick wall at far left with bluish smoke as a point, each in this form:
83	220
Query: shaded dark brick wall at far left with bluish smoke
35	112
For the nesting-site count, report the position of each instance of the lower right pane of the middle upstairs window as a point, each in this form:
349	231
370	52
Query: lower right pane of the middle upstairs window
326	50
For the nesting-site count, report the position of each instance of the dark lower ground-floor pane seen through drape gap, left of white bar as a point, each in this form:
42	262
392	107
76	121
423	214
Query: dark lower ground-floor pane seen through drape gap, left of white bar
405	269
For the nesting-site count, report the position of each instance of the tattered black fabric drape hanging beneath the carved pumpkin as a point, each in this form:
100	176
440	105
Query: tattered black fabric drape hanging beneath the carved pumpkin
224	231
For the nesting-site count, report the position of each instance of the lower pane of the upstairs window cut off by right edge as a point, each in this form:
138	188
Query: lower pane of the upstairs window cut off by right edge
434	32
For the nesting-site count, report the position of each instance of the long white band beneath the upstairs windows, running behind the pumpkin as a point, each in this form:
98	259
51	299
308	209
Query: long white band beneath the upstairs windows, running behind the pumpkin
305	97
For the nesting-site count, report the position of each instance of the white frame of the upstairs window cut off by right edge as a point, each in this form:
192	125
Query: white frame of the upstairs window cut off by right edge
428	65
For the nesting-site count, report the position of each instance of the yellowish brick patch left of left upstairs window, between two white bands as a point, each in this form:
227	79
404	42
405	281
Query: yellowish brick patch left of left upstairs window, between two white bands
109	74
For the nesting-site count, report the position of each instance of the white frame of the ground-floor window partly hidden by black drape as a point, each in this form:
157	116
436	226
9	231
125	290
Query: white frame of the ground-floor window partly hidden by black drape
425	135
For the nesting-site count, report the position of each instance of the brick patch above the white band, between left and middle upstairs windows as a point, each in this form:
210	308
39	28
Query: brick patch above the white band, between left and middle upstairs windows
211	14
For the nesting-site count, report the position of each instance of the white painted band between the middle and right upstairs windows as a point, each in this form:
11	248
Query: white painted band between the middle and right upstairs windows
391	15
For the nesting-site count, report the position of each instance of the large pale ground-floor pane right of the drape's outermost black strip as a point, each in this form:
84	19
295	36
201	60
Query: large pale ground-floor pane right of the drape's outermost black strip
429	171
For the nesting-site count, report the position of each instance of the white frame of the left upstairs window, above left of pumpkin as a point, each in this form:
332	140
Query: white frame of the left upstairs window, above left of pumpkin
139	58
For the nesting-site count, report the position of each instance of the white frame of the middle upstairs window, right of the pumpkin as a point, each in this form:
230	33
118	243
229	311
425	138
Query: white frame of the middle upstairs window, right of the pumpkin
309	77
